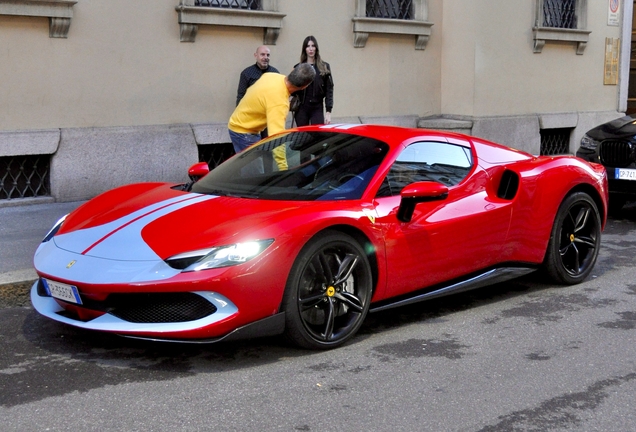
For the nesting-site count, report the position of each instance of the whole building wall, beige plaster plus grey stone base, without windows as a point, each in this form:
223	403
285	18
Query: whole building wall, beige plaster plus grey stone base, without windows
123	99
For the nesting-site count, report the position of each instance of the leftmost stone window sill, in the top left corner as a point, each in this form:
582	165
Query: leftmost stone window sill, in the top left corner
59	13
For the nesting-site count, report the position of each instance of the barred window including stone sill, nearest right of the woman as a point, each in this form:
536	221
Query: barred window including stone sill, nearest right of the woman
401	17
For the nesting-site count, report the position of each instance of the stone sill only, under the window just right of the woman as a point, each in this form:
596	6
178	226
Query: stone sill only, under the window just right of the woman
363	26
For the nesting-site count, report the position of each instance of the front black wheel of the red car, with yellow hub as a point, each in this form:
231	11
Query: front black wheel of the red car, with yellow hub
328	292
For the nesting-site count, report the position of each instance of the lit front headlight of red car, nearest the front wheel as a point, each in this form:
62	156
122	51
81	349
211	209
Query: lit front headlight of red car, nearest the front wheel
223	256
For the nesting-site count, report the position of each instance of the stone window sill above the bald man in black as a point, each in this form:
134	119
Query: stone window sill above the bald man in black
190	17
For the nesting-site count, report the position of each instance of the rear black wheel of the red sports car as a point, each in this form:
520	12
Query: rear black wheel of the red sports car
575	240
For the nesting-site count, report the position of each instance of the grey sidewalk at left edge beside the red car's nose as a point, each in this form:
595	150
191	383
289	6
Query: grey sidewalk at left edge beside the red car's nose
22	228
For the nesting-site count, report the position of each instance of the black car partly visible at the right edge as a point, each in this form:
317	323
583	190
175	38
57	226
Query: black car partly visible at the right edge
613	144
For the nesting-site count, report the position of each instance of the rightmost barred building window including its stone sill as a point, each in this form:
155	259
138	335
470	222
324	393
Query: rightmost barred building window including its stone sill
561	21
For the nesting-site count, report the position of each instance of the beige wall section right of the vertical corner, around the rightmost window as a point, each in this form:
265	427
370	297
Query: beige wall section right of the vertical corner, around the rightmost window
490	69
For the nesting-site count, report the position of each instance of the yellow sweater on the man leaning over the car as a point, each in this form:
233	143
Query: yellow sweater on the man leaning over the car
265	105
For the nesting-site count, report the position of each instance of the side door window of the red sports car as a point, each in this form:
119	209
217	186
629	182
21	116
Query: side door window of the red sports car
445	163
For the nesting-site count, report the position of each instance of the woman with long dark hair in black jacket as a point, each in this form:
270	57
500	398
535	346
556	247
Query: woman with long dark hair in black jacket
319	95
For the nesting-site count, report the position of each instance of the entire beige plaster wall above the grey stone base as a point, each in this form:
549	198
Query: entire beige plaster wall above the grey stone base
125	66
